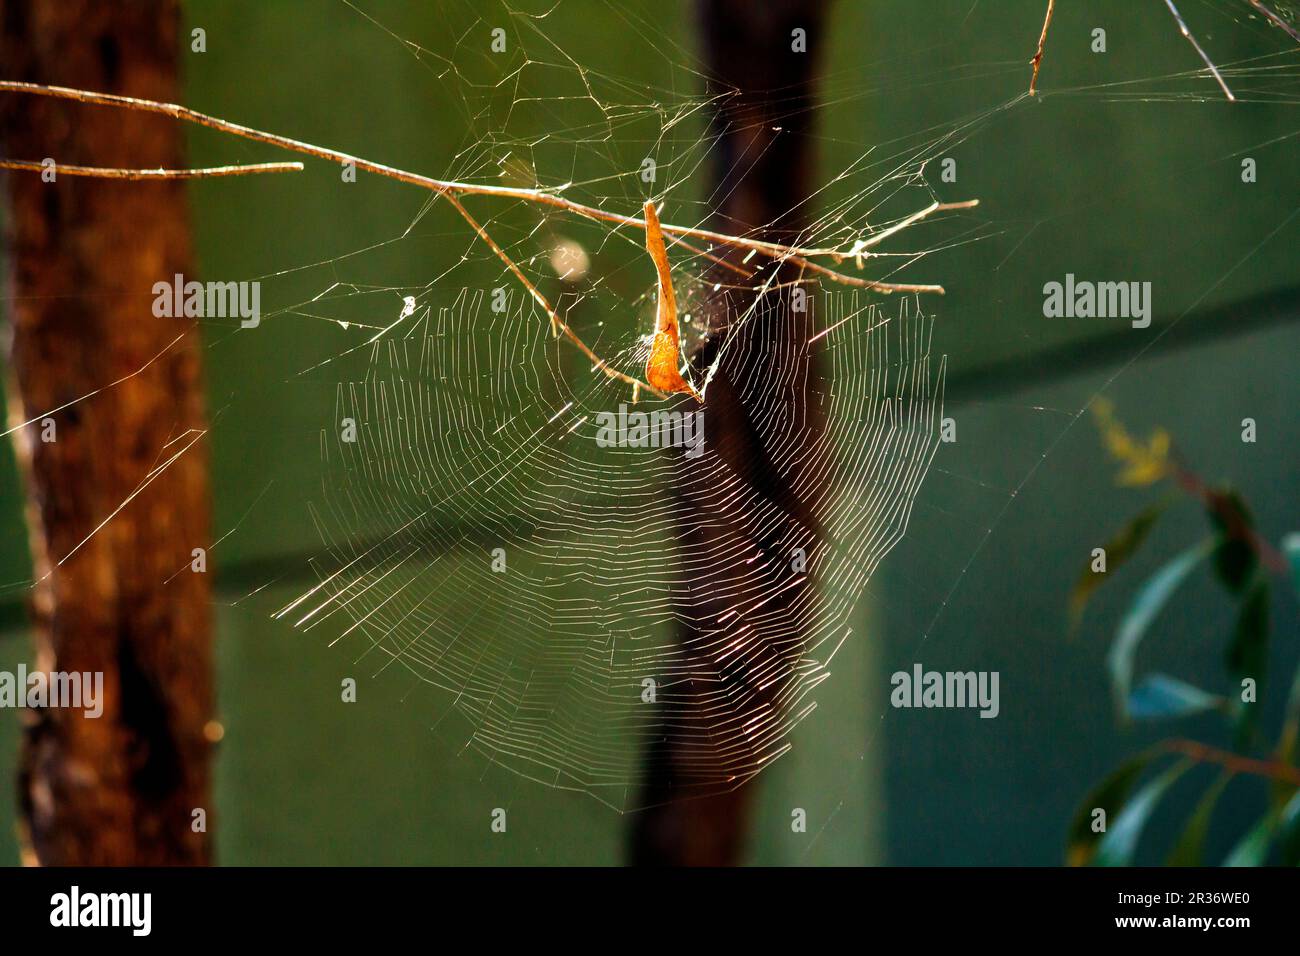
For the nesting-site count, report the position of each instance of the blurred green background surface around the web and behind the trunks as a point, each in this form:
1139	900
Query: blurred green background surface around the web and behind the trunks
1126	168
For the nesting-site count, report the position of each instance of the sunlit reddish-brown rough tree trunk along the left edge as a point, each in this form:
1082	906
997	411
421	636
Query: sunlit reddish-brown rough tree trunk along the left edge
120	599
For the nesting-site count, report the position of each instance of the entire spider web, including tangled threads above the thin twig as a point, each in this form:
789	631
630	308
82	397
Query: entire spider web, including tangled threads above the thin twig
480	538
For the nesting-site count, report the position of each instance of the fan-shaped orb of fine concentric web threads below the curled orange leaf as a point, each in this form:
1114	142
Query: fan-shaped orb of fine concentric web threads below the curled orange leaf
545	663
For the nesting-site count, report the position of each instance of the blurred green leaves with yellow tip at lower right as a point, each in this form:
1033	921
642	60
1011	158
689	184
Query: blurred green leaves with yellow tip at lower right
1246	565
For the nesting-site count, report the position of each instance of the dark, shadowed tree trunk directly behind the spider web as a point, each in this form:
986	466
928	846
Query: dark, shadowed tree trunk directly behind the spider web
762	423
